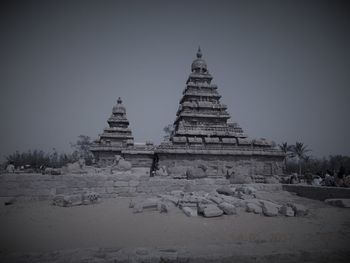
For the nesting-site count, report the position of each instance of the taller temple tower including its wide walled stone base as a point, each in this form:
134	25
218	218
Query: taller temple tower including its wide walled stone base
204	138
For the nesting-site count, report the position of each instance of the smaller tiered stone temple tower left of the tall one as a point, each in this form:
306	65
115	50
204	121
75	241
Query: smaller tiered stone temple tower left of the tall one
114	138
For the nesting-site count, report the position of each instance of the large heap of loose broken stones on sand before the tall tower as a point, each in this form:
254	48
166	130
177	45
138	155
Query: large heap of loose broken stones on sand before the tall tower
226	200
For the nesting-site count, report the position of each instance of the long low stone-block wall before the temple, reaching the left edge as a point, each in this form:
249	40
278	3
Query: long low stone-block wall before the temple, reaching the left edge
43	187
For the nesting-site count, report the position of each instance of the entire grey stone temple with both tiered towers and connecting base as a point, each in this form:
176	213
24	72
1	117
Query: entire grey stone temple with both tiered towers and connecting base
203	143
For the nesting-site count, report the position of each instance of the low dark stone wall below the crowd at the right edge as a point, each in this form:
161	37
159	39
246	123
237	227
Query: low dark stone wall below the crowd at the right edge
318	192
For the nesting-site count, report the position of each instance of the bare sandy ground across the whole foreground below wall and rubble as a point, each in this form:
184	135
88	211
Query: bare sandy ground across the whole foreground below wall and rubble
111	232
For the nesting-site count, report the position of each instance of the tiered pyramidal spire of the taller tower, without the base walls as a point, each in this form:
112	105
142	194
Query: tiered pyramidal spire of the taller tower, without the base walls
201	117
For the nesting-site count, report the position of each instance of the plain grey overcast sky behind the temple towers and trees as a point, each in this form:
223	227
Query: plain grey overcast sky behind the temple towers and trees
282	68
